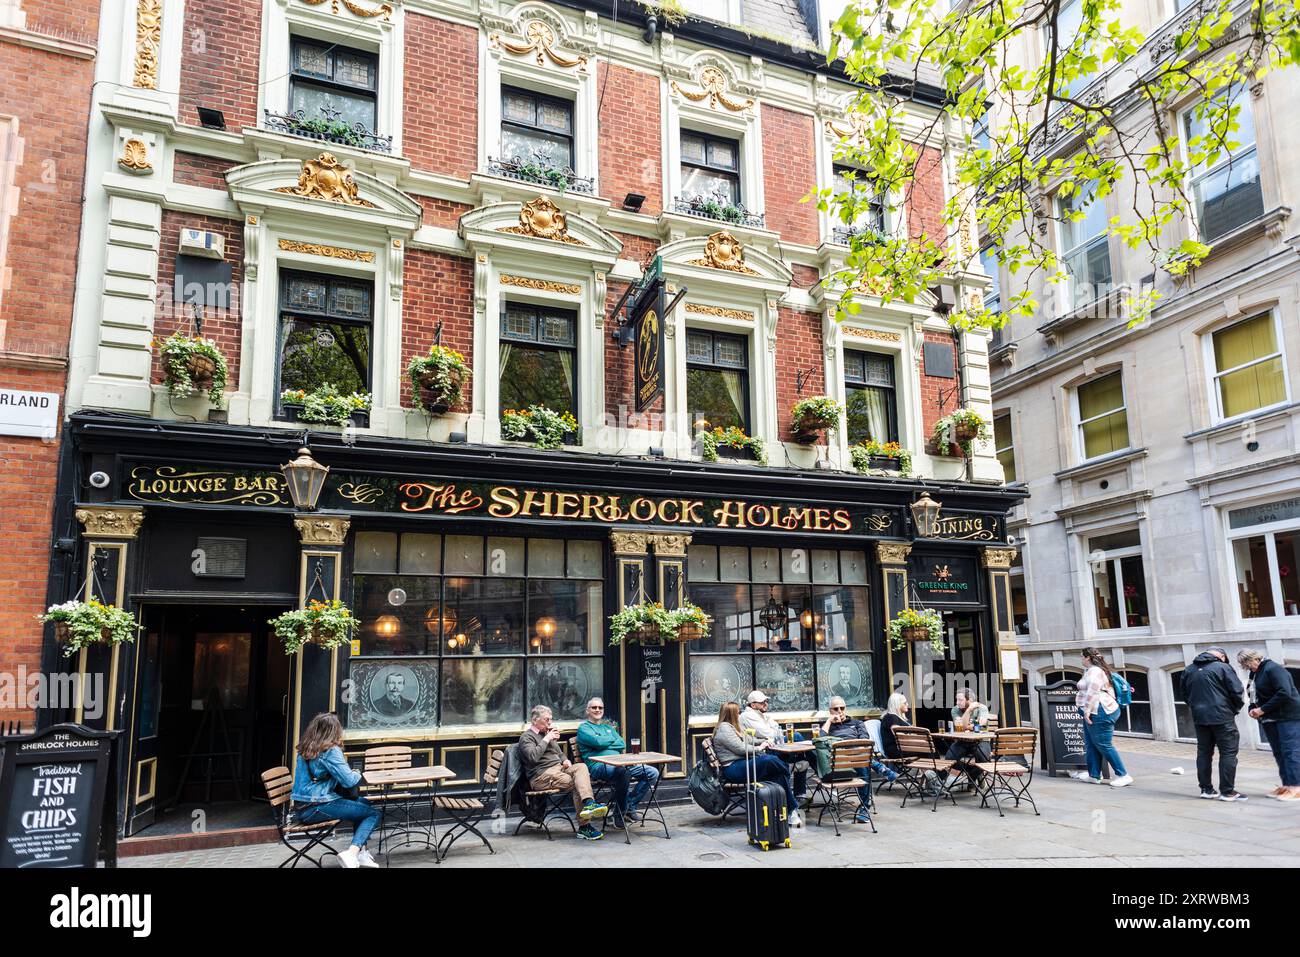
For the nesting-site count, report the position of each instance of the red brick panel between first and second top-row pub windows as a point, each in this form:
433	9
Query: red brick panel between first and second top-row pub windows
441	103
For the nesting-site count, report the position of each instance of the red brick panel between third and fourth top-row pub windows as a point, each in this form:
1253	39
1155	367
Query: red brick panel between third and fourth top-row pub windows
790	175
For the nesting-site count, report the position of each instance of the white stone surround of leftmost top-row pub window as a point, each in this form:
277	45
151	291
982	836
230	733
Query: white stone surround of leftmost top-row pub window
283	20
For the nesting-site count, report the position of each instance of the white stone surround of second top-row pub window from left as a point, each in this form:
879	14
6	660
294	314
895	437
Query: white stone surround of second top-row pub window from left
573	84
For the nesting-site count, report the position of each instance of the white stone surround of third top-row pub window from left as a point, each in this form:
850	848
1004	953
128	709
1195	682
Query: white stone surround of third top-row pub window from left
744	127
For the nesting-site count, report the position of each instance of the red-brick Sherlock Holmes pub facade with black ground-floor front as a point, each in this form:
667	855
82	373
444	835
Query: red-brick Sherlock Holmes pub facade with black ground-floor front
484	569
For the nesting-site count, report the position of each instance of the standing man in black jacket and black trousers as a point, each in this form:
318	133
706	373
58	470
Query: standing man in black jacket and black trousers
1214	694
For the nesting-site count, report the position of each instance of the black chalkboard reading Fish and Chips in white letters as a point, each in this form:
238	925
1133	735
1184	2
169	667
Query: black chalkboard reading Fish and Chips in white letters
57	806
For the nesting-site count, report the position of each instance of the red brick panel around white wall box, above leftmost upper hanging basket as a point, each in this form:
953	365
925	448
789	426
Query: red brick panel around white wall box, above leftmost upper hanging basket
222	326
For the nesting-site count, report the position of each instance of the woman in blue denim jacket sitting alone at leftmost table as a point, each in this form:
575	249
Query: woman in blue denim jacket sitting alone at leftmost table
326	789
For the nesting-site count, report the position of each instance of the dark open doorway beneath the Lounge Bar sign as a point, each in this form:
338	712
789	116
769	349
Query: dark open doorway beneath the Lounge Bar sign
213	696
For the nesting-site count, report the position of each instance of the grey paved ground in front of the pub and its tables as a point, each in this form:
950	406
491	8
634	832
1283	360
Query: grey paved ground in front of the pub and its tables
1156	822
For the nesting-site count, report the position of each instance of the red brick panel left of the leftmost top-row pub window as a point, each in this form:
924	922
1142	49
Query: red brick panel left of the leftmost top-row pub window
219	67
